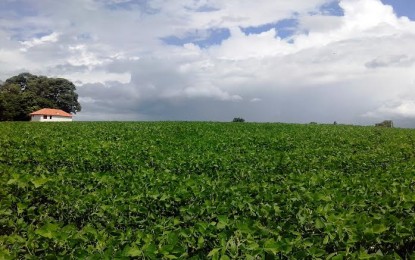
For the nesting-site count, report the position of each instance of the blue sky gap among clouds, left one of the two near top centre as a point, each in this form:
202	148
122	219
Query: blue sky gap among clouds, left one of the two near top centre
202	39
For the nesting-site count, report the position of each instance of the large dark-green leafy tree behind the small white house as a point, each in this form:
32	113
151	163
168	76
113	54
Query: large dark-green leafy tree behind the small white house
22	94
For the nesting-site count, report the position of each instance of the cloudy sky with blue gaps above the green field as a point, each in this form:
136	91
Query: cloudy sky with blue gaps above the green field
350	61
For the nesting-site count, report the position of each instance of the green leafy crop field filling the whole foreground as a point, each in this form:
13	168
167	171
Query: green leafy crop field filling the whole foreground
168	190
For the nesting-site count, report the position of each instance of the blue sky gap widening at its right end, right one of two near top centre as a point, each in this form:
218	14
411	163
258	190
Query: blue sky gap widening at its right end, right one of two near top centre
285	28
